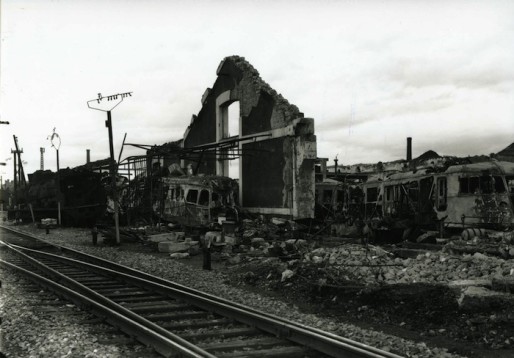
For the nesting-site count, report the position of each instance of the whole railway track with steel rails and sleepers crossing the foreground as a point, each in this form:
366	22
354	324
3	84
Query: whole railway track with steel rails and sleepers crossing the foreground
175	320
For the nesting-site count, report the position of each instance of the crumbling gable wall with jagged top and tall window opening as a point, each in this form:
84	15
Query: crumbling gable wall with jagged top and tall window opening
277	143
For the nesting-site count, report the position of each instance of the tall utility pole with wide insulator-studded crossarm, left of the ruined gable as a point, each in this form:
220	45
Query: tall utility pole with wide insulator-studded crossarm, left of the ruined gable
112	166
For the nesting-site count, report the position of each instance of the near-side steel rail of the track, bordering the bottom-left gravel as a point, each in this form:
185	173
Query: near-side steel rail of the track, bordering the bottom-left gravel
143	334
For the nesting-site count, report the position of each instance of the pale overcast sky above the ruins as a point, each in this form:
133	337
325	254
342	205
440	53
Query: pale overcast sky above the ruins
370	73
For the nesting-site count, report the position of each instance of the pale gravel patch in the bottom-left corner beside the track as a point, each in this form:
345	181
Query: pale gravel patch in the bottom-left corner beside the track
37	324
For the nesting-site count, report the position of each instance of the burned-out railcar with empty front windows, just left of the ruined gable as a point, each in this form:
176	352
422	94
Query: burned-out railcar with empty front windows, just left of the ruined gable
196	201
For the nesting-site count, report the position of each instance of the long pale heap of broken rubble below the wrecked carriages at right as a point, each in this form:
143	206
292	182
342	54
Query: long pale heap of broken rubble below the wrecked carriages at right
373	265
